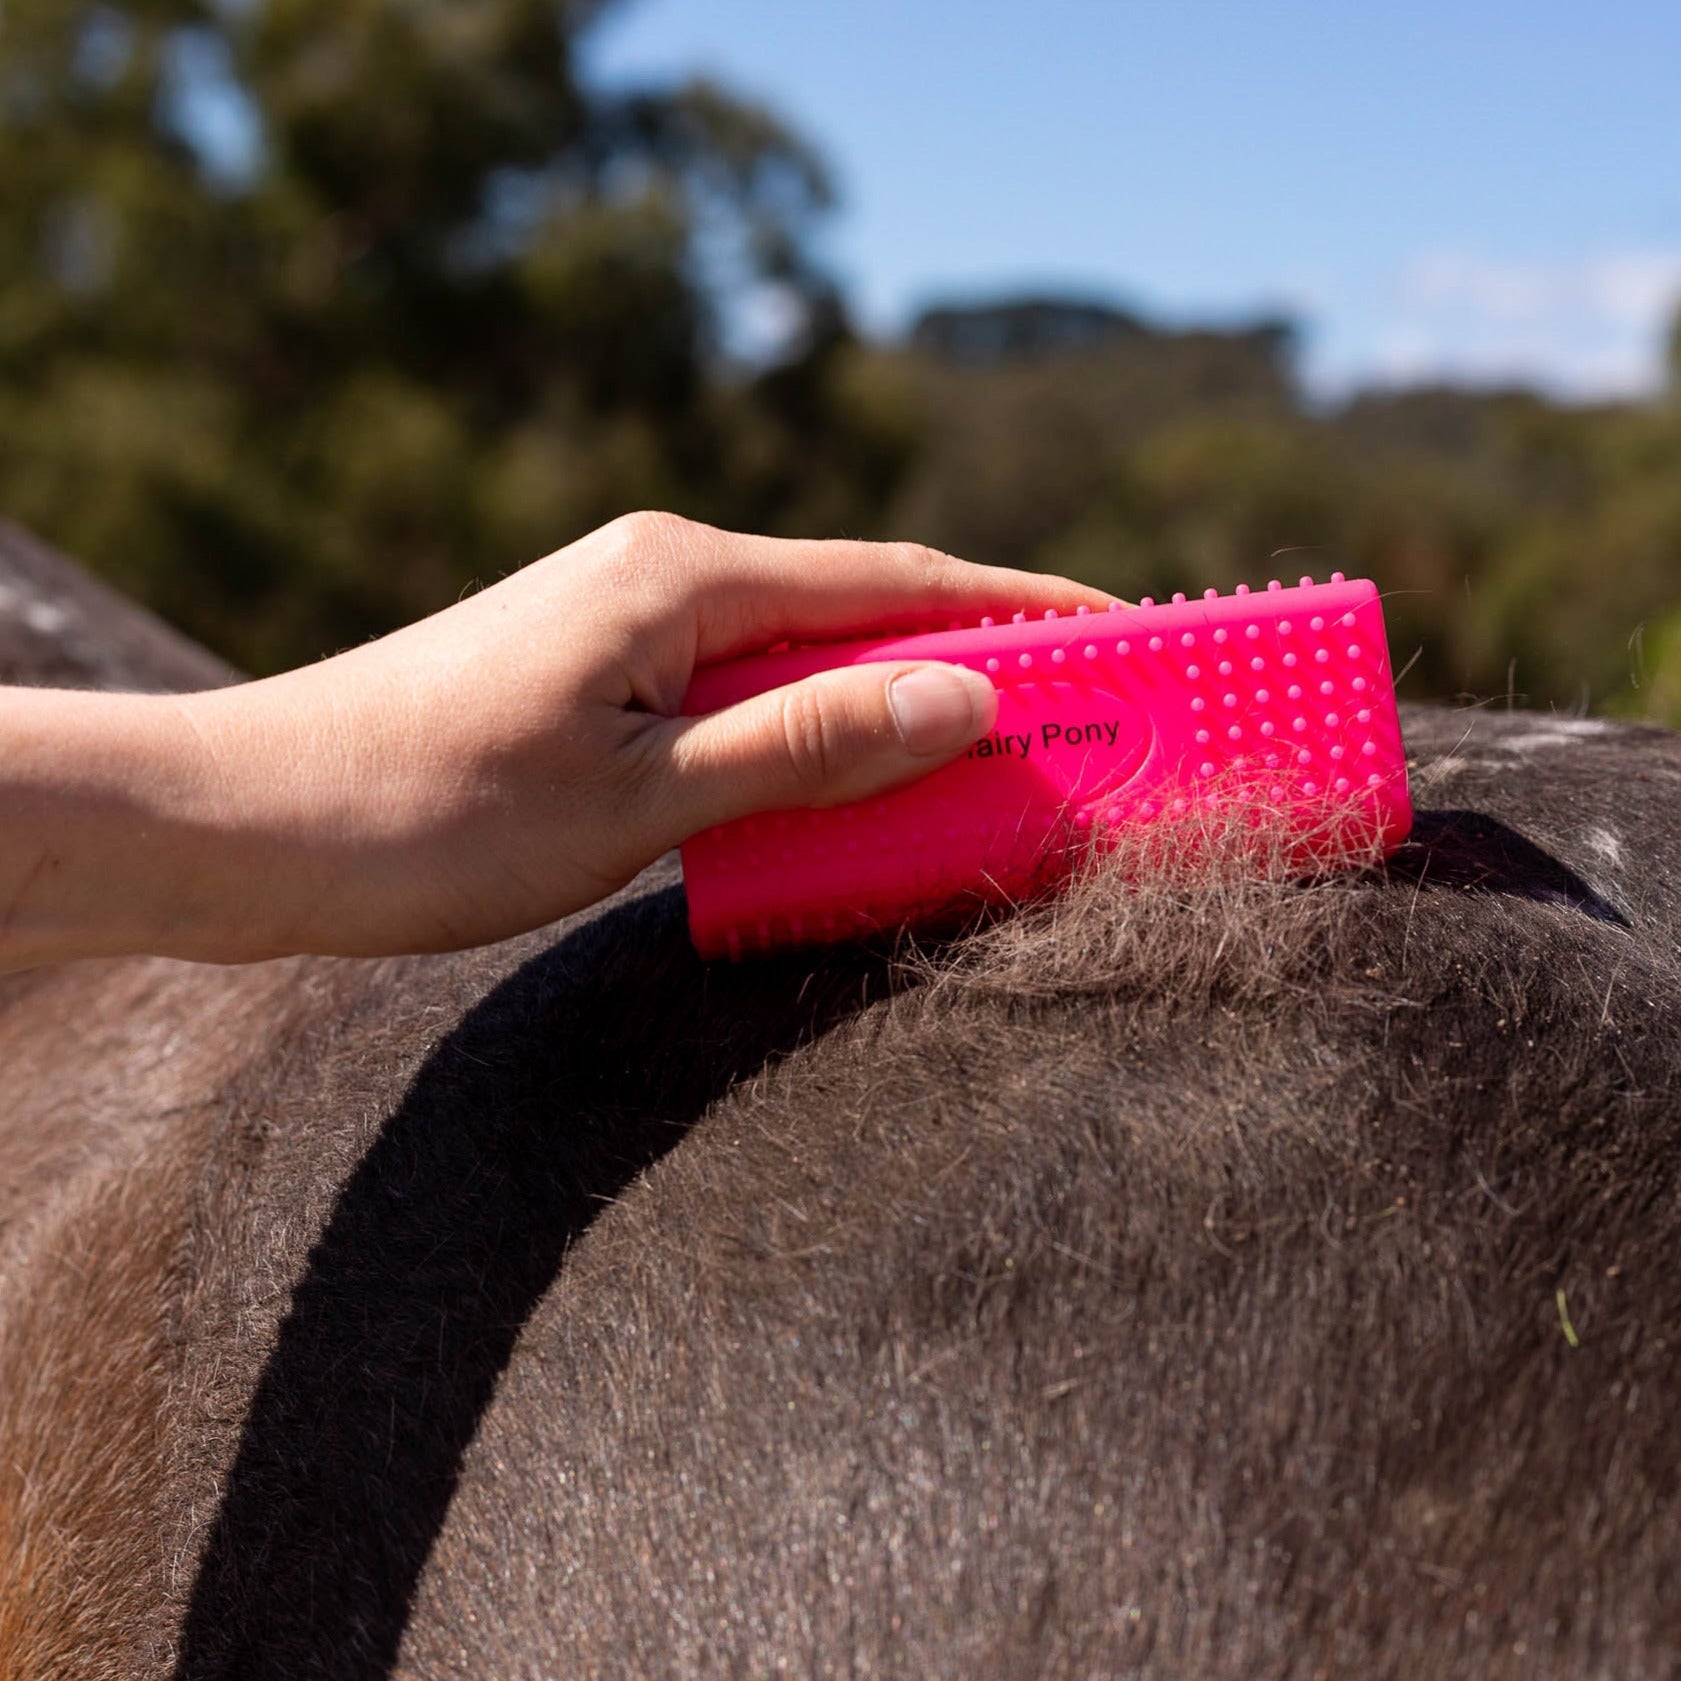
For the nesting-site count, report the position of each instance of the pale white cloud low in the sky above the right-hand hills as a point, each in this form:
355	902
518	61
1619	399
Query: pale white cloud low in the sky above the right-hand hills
1588	329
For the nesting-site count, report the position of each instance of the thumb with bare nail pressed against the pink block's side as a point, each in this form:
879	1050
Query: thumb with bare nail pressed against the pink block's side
836	737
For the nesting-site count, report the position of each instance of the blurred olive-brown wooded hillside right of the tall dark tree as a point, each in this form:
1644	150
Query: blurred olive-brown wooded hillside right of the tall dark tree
1527	549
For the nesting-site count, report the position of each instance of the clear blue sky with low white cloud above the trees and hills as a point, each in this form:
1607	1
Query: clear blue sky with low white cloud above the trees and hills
1465	191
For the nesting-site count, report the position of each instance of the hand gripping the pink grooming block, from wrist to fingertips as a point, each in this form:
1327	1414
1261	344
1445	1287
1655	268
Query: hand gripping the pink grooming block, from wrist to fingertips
522	754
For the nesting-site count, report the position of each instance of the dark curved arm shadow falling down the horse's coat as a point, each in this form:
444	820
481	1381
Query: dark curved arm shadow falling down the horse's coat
551	1097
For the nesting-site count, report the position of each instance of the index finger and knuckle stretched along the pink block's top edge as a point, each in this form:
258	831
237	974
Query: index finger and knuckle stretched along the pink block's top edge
752	593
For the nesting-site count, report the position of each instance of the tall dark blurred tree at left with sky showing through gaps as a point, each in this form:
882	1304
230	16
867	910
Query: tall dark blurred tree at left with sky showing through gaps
312	312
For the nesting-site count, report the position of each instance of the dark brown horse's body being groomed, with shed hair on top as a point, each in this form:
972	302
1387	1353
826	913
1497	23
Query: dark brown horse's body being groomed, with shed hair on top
1226	1280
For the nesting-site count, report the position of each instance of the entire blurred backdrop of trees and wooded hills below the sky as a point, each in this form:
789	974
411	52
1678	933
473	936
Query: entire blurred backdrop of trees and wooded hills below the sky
453	307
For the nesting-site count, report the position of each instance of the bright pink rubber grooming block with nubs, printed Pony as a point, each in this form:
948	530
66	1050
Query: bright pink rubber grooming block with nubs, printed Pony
1273	700
